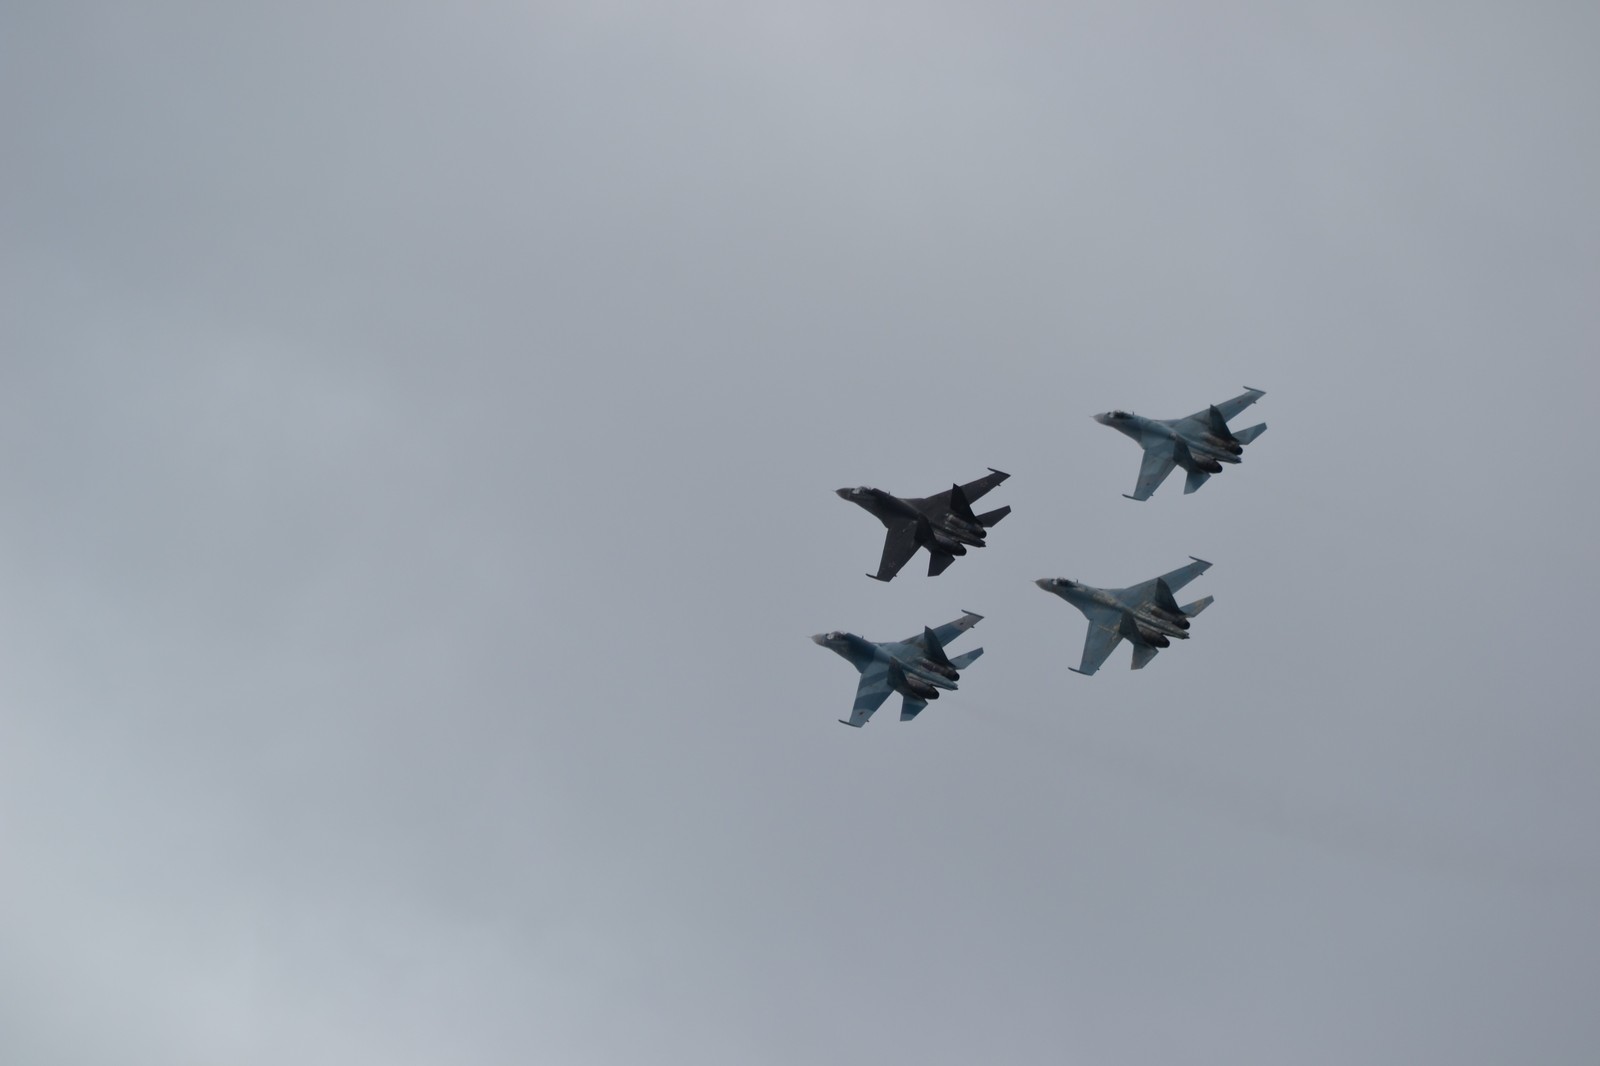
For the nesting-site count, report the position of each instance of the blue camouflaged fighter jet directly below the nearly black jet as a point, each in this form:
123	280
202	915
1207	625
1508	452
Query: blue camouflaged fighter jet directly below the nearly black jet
916	668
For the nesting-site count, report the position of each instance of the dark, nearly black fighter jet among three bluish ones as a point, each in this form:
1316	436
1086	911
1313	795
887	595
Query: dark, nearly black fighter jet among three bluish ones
943	524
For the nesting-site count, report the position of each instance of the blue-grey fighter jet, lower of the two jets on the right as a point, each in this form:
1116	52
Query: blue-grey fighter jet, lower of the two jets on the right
1145	614
